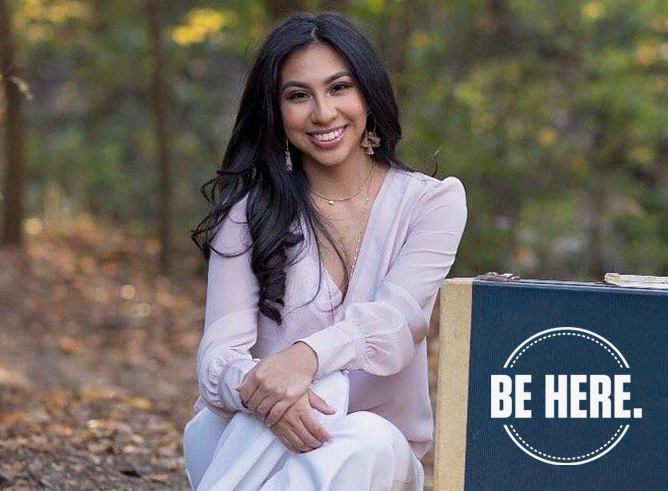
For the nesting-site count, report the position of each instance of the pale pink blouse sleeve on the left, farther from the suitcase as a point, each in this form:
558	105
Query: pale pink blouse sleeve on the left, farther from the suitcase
223	357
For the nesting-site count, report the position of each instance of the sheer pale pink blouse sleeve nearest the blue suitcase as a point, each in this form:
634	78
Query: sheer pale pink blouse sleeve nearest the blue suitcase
381	336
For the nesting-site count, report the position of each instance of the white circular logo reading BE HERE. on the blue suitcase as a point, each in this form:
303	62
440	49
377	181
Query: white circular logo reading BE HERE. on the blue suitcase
563	395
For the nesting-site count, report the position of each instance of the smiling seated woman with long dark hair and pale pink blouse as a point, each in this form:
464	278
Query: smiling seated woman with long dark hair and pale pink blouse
328	256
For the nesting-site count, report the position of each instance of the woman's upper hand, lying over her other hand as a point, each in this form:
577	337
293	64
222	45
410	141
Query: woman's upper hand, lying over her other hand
276	382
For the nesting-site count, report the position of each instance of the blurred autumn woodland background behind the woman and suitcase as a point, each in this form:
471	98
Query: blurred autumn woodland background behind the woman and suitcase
554	114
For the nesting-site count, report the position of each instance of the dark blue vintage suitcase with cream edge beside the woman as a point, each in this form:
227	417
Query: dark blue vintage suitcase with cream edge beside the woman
546	385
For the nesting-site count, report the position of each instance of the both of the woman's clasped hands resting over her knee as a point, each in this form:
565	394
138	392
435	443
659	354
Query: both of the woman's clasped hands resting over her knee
277	391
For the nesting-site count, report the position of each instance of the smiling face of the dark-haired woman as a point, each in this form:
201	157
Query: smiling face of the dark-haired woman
324	114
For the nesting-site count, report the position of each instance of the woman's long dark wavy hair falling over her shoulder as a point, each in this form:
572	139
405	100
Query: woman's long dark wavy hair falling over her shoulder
254	161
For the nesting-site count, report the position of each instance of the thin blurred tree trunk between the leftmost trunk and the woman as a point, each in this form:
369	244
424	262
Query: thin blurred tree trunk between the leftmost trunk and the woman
159	93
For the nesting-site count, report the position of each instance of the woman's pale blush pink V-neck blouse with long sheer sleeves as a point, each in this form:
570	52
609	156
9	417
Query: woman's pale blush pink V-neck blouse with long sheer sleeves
377	335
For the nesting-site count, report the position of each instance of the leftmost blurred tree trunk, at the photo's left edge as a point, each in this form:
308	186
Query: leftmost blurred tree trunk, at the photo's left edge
14	136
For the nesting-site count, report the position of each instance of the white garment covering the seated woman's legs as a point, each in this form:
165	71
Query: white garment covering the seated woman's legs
367	452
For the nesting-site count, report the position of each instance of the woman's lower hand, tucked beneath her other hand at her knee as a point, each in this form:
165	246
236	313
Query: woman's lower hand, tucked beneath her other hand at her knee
298	429
